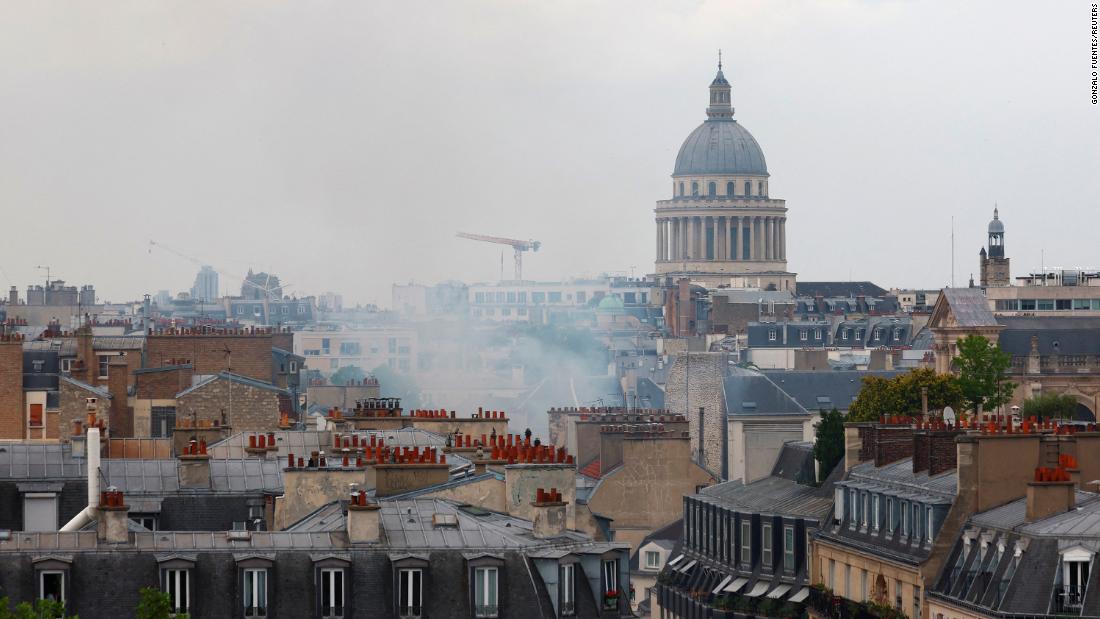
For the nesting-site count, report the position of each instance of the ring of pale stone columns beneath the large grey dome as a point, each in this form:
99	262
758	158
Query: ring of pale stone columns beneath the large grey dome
721	238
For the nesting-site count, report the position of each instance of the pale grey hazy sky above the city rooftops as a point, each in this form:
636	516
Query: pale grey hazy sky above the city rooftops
343	145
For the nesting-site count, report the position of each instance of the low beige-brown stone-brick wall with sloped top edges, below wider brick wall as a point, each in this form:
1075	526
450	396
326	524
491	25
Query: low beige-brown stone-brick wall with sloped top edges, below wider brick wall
247	408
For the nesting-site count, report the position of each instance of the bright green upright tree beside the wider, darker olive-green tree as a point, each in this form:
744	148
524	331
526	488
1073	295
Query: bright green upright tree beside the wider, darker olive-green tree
983	373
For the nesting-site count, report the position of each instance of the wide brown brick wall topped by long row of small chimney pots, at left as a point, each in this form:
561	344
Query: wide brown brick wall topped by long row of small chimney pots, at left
251	355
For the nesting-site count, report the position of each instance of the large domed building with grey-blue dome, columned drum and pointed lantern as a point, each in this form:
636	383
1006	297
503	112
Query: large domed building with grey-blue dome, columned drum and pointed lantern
721	228
